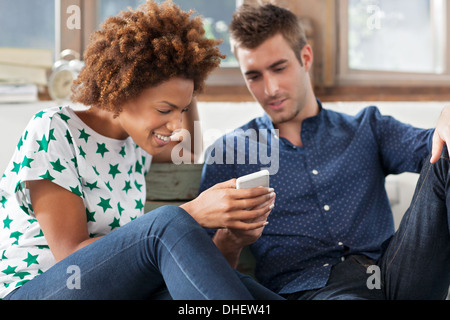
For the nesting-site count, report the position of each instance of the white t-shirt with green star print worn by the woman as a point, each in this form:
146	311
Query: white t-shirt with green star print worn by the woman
108	174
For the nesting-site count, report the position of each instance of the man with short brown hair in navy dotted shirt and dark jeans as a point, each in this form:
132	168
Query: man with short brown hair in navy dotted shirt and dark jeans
332	226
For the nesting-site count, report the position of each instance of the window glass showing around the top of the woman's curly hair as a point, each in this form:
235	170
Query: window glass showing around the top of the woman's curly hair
217	15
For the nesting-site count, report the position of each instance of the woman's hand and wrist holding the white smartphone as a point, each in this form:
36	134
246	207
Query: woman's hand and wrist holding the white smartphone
224	206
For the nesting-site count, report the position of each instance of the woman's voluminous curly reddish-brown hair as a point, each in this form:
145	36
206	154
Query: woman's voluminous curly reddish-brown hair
141	48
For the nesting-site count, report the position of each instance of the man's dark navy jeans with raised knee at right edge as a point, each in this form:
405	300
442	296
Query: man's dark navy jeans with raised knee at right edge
416	261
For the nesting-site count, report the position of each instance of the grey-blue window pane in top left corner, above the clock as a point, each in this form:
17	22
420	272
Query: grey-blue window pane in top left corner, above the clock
27	24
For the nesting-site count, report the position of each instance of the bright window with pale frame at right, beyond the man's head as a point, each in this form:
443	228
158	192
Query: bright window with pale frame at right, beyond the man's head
402	42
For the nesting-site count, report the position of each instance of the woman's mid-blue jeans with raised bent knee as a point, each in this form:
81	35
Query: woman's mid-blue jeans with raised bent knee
164	254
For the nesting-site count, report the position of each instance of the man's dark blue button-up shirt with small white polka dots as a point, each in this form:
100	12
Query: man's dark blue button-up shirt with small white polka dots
331	200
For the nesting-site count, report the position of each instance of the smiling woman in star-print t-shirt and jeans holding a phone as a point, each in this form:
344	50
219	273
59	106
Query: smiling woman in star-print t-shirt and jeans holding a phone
72	197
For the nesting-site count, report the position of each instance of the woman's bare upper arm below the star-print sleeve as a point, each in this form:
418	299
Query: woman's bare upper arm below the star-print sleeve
62	217
